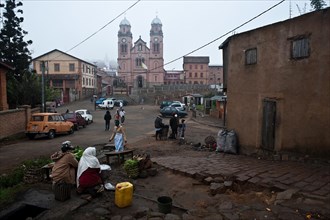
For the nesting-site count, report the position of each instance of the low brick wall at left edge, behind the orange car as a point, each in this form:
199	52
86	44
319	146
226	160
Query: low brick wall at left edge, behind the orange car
14	121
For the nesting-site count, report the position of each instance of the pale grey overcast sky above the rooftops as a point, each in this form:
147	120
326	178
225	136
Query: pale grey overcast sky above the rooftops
187	25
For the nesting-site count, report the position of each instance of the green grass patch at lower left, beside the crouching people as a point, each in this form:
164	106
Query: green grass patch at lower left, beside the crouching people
13	183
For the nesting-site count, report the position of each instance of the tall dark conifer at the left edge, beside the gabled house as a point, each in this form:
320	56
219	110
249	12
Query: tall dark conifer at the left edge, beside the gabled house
14	51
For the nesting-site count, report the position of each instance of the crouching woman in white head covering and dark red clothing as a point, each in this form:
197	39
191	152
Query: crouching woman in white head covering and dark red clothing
88	175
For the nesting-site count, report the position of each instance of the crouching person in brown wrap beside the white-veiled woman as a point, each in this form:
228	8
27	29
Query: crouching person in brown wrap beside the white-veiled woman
64	169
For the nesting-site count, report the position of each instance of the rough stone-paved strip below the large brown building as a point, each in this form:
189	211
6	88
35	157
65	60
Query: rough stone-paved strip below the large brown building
309	179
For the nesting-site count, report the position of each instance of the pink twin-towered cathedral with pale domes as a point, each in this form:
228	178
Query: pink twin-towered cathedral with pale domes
140	66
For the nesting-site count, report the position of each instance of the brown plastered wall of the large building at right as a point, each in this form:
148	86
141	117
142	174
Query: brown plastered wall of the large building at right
300	87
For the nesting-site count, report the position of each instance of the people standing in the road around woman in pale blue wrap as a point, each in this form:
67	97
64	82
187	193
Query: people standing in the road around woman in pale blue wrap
119	131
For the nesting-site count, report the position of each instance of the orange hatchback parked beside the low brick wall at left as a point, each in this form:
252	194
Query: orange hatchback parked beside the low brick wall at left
49	124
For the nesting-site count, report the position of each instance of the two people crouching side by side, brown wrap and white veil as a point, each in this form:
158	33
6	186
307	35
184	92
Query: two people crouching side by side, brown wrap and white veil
85	174
